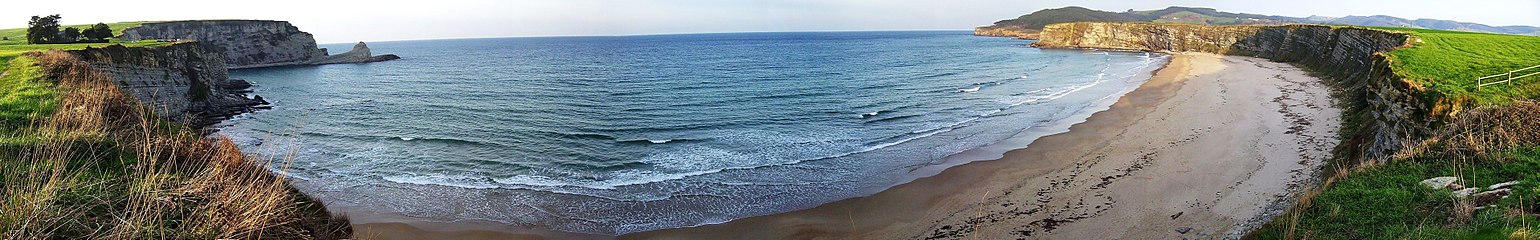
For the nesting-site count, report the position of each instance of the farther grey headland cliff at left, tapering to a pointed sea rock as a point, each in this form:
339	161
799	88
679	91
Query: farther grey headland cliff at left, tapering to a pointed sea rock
250	44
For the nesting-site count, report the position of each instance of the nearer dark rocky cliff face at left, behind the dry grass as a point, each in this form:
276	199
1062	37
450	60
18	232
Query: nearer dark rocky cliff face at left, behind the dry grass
186	84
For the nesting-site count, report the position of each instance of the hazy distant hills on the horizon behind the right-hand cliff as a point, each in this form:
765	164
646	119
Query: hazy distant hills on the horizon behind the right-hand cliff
1208	16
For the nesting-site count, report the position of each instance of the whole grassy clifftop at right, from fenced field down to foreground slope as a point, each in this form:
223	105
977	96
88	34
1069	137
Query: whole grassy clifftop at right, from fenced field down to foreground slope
1387	201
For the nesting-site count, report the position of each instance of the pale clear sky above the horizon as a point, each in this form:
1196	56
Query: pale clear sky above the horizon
378	21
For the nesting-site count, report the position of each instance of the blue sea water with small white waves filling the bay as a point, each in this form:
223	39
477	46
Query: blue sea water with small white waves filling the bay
624	135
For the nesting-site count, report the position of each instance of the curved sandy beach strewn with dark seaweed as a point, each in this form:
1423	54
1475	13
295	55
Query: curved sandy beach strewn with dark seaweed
1211	144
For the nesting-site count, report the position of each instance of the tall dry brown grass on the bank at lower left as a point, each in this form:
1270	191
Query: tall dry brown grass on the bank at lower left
176	184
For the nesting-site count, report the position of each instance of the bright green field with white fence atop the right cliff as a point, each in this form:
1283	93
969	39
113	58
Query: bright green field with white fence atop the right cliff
1451	62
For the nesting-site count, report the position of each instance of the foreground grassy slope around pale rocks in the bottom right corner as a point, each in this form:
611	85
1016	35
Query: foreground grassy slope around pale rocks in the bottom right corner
1385	202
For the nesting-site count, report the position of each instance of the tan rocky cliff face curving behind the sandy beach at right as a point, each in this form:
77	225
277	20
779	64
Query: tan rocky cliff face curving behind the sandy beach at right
1351	56
